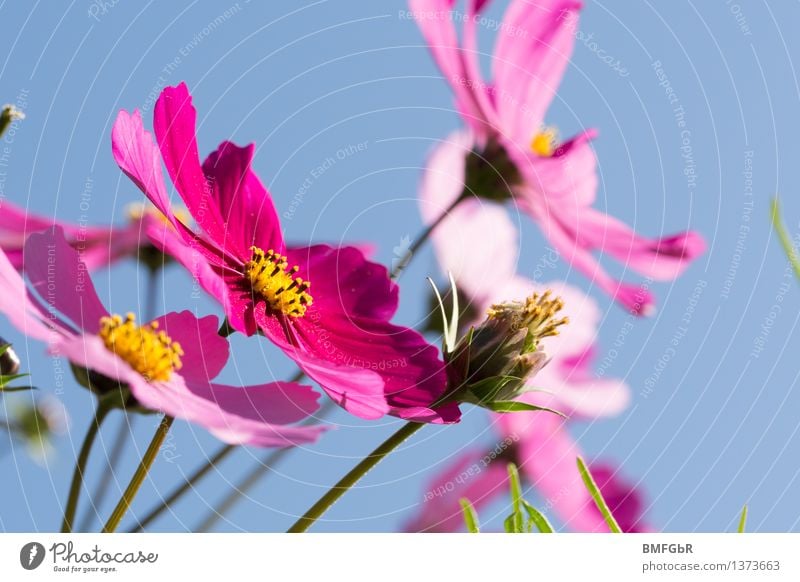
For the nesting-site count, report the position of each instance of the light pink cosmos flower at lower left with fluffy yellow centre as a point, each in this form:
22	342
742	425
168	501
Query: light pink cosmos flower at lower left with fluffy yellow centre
168	363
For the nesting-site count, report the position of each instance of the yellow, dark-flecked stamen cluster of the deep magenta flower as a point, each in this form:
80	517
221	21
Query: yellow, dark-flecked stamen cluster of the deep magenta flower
270	276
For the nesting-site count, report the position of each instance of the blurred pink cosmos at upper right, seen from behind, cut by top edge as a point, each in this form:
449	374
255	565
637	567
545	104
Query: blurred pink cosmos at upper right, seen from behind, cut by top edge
508	152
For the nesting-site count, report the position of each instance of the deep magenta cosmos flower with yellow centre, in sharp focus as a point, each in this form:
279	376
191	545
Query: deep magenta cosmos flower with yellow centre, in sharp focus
327	308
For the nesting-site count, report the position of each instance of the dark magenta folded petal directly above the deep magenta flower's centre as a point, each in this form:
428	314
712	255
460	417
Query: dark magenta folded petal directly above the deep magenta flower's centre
246	206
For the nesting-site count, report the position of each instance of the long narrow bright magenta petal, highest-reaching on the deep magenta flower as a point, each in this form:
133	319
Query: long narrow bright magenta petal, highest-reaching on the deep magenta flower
174	121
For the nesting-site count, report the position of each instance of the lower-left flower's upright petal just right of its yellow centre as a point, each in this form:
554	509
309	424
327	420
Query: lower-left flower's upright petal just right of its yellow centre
205	352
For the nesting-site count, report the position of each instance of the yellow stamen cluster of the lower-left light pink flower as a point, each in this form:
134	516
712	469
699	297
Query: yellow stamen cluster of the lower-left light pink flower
148	350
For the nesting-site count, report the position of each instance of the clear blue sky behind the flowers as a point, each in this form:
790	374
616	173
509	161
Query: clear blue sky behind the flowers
304	80
